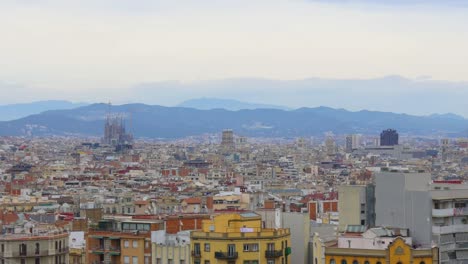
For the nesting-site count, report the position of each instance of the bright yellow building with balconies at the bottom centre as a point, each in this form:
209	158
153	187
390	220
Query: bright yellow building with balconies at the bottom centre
240	238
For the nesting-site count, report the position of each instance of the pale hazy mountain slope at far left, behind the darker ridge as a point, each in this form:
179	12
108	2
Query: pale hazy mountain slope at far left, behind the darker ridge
15	111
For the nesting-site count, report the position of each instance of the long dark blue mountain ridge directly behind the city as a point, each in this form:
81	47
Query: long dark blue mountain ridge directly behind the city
152	121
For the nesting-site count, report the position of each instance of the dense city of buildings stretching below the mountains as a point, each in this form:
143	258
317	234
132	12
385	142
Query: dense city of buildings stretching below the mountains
226	198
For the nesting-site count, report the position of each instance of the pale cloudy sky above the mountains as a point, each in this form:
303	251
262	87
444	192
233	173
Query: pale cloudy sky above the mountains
104	50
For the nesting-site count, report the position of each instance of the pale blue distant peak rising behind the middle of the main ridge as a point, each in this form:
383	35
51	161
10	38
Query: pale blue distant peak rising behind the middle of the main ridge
227	104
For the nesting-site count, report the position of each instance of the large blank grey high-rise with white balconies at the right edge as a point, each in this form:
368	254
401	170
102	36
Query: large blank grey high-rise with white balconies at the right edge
434	211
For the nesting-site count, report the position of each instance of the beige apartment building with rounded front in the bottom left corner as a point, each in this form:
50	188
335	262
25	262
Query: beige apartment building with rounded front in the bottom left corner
34	244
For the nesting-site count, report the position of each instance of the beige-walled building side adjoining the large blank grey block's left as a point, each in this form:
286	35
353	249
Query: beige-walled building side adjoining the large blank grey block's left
356	205
